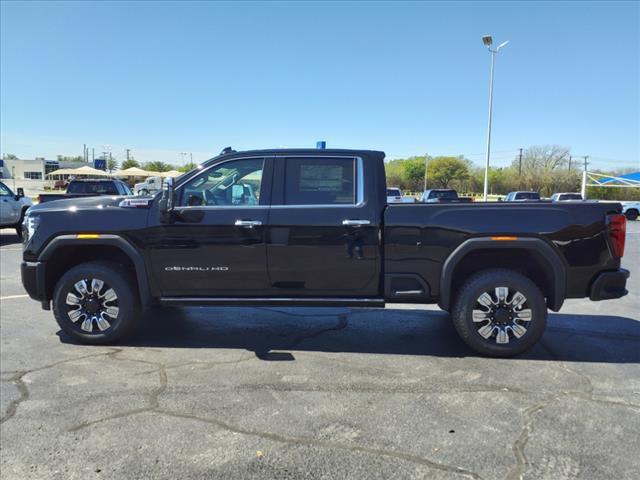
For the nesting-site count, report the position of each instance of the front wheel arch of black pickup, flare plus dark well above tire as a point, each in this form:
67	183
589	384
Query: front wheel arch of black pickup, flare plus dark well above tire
95	249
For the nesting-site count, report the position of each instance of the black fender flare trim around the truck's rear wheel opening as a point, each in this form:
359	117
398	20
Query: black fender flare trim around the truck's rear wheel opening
554	261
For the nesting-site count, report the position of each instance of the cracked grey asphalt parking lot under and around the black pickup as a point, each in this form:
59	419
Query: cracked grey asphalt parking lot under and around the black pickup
318	393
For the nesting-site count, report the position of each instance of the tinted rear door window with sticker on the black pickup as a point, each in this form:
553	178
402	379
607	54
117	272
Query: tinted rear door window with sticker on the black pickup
320	181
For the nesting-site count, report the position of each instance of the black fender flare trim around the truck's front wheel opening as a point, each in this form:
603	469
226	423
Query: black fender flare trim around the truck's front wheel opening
105	240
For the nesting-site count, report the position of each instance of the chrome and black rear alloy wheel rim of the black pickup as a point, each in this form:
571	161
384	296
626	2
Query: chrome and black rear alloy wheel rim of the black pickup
501	316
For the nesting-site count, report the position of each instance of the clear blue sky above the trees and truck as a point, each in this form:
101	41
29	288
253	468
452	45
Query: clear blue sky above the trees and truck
407	78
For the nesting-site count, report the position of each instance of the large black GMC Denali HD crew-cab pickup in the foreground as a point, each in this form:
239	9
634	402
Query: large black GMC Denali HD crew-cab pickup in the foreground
317	230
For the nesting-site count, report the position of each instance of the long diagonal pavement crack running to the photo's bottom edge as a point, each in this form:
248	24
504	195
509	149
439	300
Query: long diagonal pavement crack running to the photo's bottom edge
306	441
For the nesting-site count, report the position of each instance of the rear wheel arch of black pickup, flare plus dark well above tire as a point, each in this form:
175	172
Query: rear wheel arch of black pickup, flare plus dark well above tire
551	266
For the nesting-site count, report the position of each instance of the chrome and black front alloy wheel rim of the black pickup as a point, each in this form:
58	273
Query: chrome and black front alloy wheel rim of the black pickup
92	302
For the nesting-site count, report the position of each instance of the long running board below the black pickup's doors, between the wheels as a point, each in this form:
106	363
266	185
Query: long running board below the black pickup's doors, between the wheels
274	301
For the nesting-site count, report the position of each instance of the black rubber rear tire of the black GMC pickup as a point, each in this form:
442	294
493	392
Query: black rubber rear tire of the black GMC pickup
501	317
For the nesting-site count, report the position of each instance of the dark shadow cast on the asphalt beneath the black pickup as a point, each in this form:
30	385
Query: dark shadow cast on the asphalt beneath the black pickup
274	334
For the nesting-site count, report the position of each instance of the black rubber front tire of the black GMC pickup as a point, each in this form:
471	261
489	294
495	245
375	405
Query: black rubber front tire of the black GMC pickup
96	307
